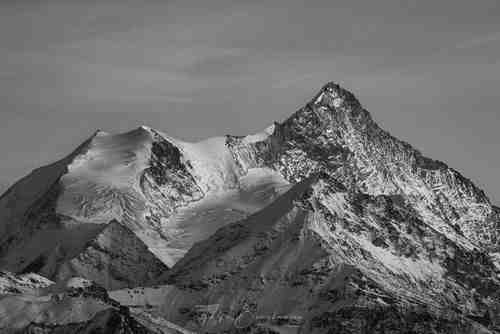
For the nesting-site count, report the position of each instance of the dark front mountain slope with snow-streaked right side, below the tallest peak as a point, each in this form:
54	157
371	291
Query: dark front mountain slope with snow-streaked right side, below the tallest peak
336	260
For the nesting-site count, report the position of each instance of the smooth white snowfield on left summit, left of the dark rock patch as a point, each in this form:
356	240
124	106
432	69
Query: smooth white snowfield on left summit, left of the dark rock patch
100	181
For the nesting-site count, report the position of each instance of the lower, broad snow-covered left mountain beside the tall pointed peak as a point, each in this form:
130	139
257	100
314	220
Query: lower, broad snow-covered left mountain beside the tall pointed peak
167	194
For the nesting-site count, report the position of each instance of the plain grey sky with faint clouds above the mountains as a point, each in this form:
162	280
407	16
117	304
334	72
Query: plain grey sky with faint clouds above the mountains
427	71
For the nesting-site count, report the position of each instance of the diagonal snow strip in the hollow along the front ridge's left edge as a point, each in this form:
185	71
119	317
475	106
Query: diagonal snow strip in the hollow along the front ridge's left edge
199	220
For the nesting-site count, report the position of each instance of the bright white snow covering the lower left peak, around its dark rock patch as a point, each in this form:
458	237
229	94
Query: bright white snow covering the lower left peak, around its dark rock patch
103	183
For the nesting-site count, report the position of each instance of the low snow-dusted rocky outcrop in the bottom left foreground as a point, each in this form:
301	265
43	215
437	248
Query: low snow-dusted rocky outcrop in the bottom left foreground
74	309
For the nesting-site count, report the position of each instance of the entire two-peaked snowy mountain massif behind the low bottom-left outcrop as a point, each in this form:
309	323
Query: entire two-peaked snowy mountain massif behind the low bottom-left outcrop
323	223
